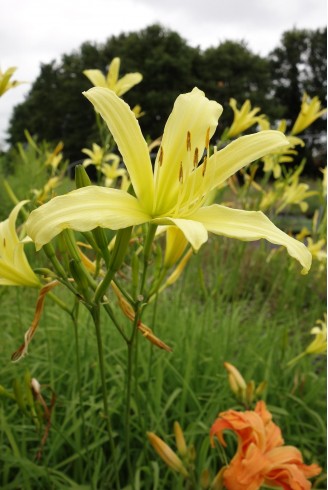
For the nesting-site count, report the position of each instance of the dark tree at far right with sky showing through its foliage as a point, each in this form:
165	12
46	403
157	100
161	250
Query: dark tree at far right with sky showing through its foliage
299	65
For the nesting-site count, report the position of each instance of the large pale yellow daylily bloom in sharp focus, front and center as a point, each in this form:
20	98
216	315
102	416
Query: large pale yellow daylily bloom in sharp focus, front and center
175	192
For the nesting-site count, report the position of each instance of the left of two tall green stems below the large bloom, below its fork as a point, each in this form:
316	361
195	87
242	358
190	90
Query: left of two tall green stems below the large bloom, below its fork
95	312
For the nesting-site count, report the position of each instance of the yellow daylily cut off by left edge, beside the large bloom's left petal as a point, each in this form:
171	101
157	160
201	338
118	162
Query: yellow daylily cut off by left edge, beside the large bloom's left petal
14	267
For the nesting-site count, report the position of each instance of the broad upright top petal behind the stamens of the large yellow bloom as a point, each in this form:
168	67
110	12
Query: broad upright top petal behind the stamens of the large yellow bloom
194	115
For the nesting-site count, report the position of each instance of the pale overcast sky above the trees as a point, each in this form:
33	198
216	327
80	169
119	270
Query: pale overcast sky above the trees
38	31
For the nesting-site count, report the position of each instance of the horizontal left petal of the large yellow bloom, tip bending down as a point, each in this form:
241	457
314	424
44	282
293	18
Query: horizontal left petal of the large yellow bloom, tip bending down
83	210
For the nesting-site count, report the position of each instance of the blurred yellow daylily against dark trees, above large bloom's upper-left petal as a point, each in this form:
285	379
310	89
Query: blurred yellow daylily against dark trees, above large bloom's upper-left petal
119	85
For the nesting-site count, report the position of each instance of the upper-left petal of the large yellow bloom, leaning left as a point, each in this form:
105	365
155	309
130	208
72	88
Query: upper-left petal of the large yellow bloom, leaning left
126	131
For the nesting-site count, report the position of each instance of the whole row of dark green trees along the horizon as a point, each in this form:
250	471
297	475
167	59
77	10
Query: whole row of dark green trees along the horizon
55	109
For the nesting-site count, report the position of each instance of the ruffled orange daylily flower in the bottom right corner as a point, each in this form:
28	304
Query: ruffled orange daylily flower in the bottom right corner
261	457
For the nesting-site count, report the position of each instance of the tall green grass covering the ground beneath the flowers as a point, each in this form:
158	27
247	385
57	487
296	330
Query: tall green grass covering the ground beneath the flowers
232	304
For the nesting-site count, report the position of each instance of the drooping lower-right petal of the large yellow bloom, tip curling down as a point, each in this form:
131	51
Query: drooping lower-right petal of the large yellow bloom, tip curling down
249	226
